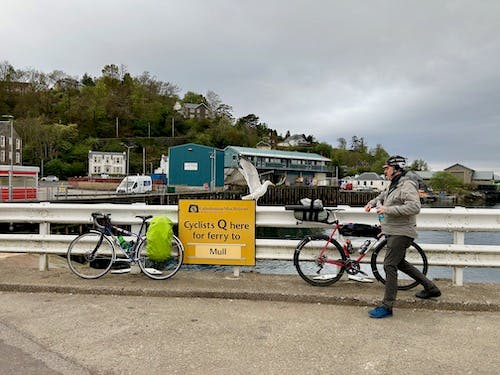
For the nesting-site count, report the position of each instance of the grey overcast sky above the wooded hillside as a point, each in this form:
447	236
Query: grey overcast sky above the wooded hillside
421	78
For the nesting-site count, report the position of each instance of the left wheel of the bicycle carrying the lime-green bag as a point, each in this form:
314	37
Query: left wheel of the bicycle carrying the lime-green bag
87	262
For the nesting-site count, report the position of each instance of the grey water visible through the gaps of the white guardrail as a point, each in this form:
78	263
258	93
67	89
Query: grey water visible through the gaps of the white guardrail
484	275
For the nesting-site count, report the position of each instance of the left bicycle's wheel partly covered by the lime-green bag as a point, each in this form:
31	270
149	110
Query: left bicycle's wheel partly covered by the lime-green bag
165	269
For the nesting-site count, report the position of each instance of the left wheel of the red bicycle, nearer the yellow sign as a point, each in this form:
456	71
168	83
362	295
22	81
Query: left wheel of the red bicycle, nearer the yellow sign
319	272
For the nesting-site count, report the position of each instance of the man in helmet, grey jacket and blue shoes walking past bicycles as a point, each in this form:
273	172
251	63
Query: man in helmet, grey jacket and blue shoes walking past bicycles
399	205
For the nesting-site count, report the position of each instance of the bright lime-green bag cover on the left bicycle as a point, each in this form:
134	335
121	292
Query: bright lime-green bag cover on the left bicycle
159	238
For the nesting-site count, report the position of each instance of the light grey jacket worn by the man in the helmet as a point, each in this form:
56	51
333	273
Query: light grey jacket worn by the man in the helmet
402	205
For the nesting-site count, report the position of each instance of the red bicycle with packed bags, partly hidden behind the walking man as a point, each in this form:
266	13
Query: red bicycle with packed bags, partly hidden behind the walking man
321	260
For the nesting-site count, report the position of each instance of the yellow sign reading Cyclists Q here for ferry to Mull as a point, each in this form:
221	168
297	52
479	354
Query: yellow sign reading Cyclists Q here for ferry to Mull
218	231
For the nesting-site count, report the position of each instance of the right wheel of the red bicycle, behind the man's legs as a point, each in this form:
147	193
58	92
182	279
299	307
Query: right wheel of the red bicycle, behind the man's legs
414	254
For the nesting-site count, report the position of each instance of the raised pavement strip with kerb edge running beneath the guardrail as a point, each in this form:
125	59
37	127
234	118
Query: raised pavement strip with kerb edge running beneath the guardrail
20	274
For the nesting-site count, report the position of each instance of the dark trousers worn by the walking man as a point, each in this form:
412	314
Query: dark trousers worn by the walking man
395	260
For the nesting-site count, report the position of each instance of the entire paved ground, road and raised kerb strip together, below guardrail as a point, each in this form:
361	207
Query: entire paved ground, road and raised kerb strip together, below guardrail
212	323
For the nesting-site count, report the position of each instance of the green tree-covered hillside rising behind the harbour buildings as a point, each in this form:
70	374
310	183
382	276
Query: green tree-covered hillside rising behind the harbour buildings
60	118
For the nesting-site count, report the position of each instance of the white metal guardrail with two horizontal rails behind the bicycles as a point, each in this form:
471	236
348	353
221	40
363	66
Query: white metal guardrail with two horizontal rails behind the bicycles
456	220
